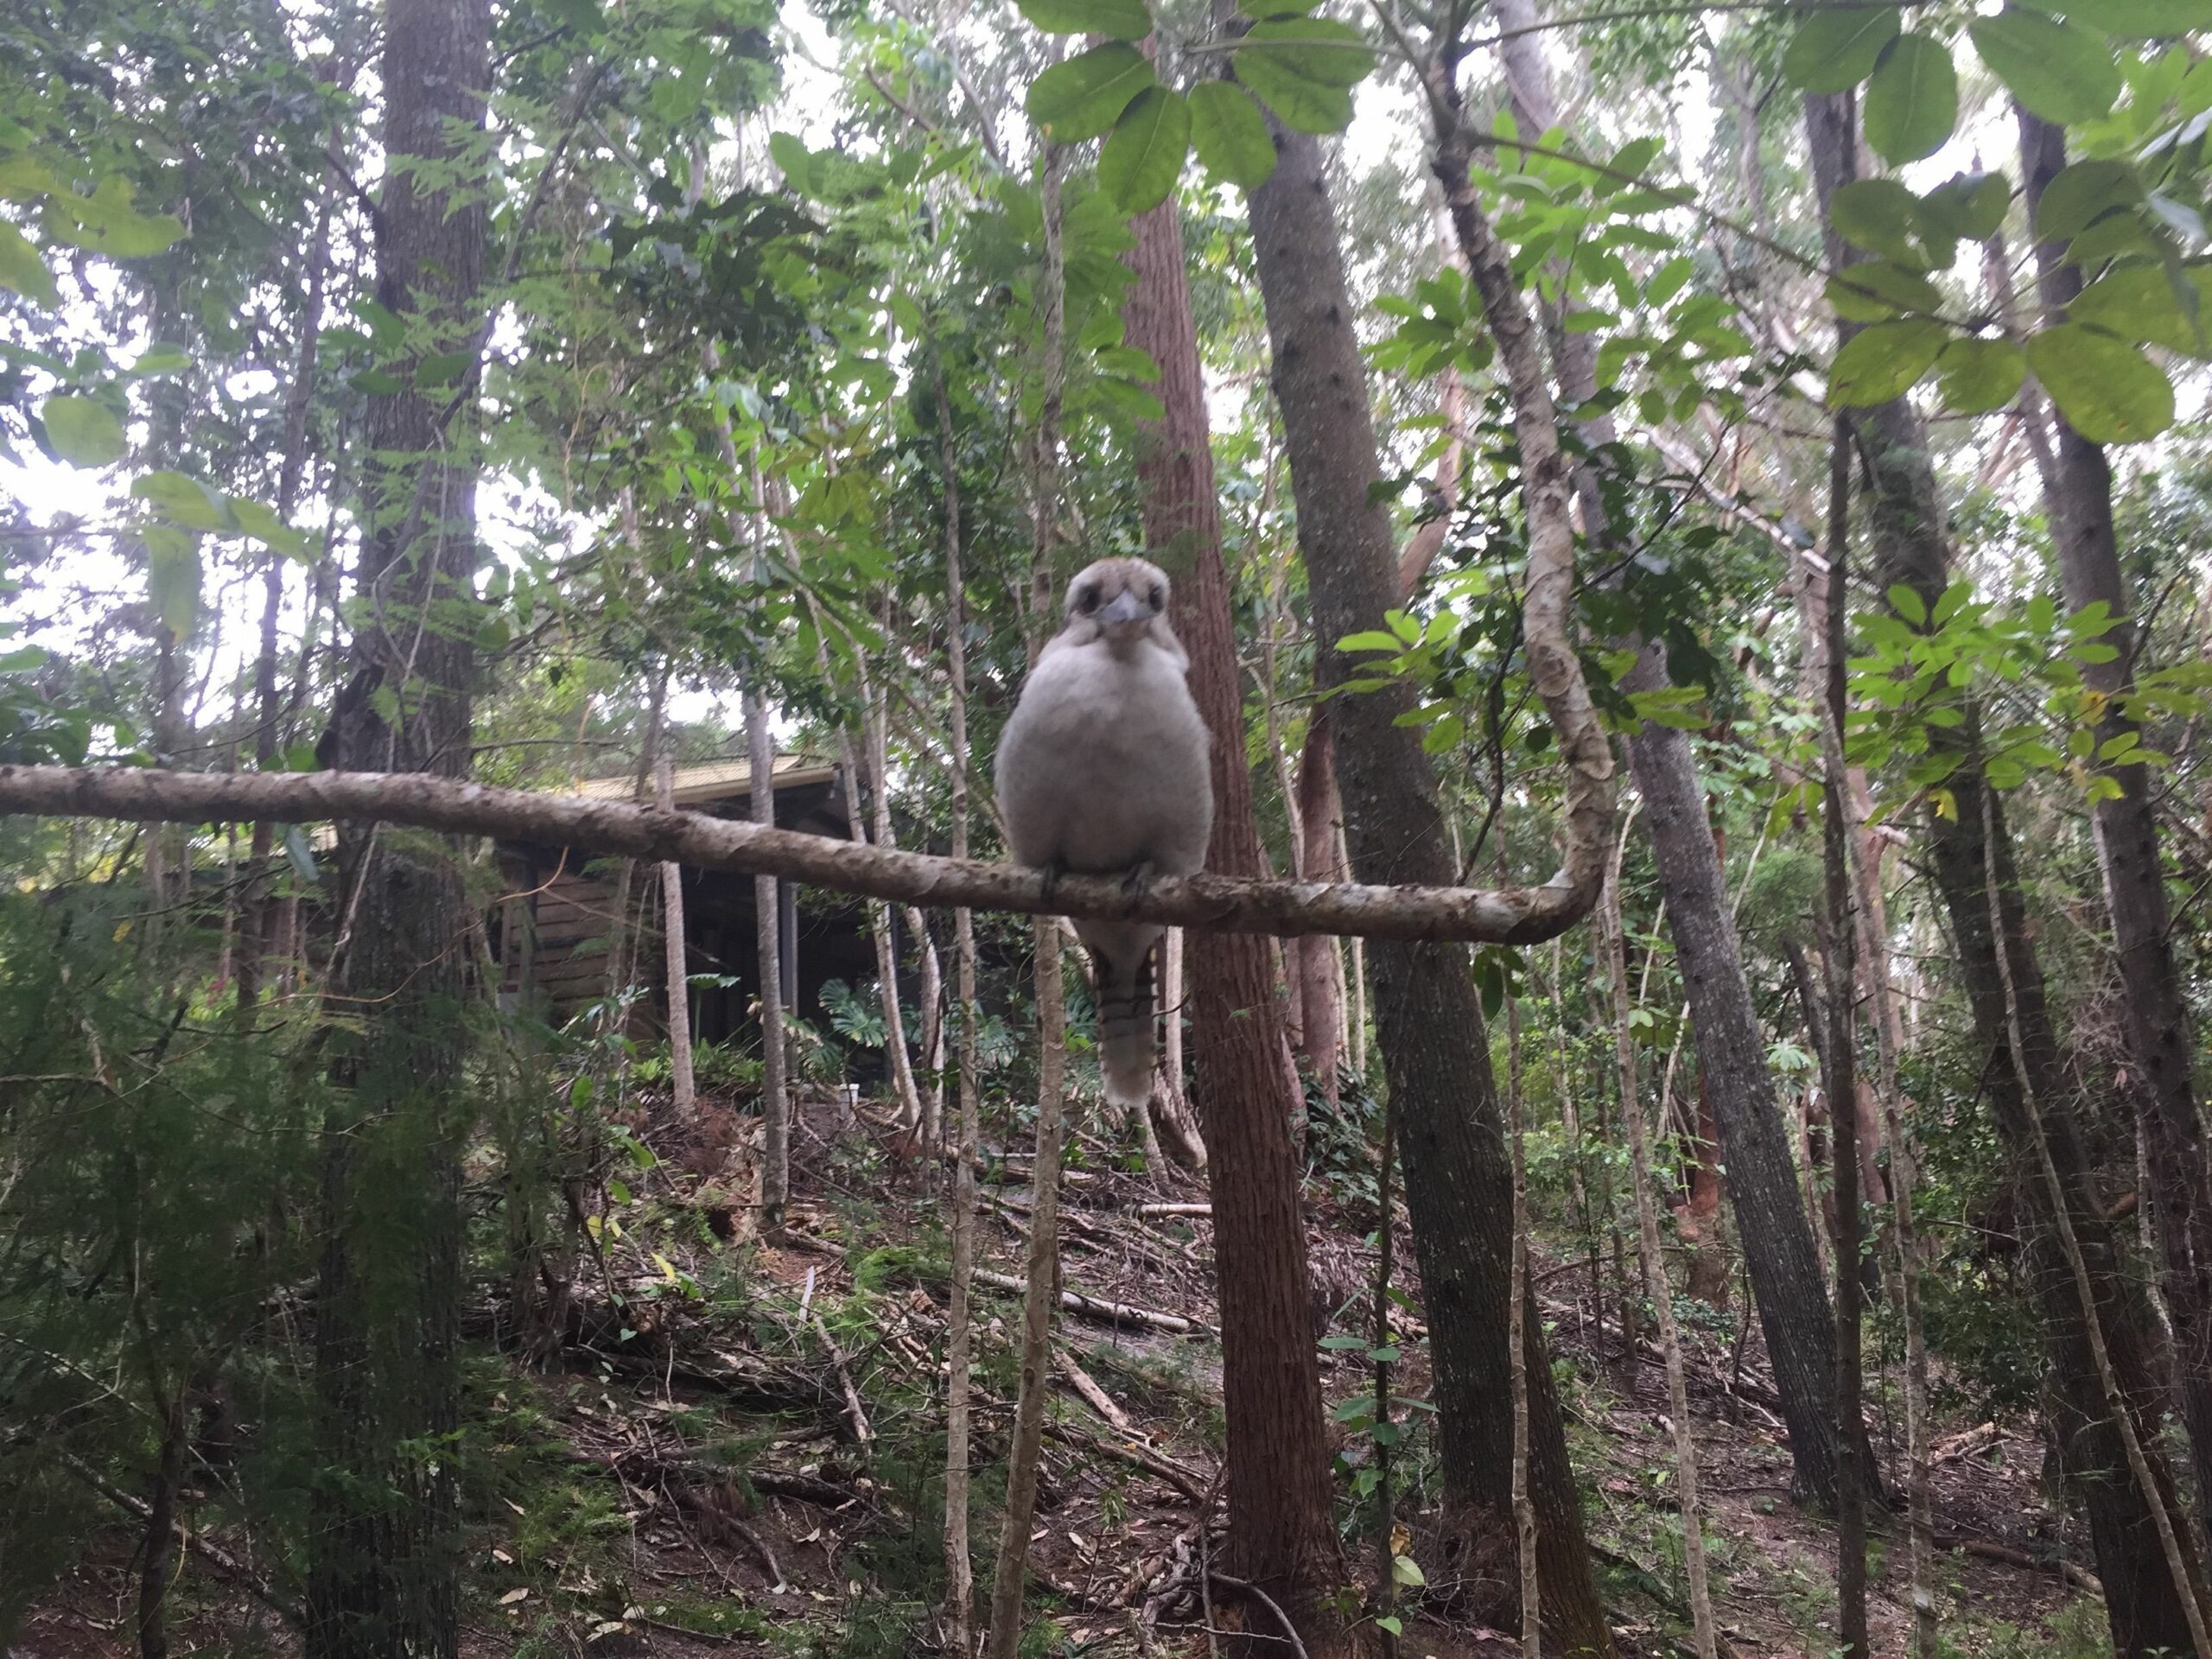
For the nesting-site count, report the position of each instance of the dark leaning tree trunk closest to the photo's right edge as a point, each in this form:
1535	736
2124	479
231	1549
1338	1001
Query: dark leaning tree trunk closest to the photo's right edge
2080	510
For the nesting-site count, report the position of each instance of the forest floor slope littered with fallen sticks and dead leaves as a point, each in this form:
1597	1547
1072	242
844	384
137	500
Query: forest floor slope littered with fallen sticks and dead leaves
740	1452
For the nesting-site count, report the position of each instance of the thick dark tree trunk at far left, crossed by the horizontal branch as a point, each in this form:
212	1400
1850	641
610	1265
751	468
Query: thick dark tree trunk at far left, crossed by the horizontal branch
384	1543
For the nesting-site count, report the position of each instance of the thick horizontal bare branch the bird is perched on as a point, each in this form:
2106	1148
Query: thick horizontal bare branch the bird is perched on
424	802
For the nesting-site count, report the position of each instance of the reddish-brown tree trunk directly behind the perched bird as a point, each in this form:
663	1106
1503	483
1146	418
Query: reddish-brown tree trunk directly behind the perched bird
1282	1530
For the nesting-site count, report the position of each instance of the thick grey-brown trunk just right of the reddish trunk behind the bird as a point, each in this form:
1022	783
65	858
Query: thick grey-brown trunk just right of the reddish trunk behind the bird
1430	1021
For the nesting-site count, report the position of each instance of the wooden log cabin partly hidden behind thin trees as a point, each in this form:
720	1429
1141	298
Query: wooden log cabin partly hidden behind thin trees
559	921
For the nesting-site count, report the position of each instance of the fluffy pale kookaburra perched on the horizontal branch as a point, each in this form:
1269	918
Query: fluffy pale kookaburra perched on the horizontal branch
1105	771
